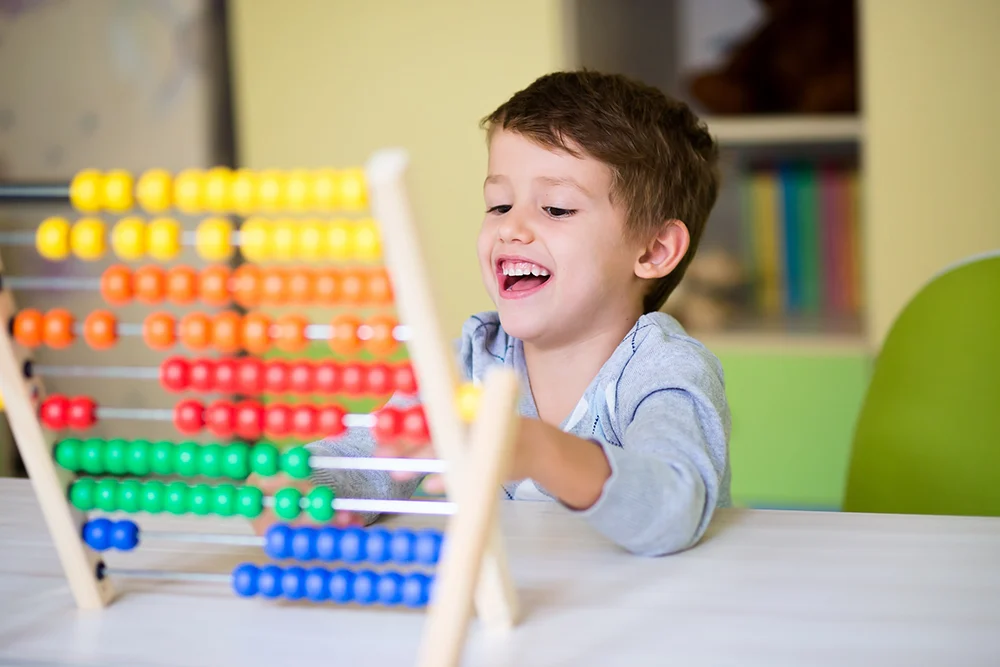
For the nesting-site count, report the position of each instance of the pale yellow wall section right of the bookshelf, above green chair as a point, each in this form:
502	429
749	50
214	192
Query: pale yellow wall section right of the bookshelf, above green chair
932	104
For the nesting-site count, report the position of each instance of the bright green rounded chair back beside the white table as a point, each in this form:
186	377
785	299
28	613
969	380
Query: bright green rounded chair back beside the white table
927	440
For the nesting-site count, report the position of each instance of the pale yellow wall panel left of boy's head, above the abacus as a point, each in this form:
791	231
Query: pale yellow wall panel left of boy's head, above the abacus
325	82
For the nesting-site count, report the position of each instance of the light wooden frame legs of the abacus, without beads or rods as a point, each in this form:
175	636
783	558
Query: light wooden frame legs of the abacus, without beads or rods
472	571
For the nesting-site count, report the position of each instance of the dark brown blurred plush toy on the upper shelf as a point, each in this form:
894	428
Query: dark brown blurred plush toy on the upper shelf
801	59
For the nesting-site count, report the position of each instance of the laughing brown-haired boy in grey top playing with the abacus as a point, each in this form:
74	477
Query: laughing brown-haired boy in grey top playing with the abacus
597	192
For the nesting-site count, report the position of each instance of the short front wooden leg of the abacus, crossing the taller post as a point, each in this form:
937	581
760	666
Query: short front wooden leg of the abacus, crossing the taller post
473	524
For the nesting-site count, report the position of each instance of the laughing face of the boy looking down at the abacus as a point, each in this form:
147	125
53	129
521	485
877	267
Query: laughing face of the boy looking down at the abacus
551	248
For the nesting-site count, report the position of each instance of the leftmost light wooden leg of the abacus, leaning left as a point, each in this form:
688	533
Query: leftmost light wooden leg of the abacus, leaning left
50	484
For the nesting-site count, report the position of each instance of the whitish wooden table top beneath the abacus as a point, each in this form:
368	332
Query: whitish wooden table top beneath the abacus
763	588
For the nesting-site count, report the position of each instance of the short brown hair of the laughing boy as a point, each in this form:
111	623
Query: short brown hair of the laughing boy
662	158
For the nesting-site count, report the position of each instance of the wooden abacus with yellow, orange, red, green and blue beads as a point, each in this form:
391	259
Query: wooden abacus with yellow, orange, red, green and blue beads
472	428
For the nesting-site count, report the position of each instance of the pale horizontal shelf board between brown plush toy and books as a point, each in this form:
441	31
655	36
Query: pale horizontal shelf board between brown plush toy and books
786	129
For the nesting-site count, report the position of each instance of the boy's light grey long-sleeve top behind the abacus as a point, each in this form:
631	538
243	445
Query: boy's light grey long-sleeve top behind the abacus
657	408
